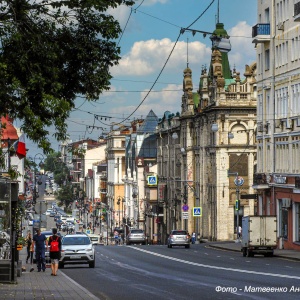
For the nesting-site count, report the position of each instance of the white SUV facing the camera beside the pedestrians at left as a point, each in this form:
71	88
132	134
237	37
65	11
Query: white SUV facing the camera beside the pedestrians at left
77	249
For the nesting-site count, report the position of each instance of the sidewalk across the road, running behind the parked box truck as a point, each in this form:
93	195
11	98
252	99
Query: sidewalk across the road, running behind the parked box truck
233	246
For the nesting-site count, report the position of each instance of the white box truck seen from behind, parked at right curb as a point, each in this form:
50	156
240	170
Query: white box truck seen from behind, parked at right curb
259	235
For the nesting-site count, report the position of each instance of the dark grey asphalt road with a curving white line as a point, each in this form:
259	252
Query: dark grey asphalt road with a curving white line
156	272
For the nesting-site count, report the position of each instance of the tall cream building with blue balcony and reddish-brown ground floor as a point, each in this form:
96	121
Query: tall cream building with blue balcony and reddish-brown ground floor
277	178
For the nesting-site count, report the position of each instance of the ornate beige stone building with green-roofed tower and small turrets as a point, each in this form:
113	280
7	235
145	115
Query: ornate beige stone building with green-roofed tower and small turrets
216	148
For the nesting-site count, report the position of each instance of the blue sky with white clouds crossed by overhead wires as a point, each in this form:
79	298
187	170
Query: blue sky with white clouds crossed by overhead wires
154	54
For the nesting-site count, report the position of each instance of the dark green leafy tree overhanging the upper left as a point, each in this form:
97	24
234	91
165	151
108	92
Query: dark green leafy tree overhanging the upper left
53	51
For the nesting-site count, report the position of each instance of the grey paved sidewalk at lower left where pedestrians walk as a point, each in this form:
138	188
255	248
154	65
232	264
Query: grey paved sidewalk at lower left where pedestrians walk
41	285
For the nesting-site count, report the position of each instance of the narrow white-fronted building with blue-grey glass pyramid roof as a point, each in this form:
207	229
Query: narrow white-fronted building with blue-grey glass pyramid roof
140	156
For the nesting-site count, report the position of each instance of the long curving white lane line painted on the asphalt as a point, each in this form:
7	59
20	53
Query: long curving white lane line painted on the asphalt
216	267
